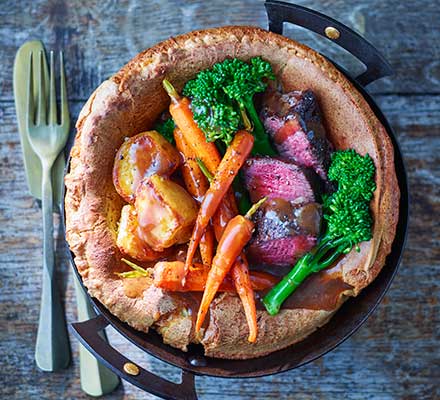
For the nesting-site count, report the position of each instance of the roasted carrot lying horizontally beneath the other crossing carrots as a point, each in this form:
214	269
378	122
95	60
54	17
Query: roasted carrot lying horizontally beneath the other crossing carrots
168	276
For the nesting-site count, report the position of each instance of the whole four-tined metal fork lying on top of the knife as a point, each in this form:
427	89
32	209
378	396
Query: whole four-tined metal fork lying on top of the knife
47	138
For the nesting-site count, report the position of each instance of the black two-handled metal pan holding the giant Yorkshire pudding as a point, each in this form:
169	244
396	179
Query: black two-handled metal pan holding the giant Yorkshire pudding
345	322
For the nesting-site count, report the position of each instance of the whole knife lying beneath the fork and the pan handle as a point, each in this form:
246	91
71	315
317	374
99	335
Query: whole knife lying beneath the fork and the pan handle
96	379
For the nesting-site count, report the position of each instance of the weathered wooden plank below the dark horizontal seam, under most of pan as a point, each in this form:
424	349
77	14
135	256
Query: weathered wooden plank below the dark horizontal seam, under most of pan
394	355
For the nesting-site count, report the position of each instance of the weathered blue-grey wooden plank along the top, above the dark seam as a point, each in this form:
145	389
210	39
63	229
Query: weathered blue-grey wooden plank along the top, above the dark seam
98	37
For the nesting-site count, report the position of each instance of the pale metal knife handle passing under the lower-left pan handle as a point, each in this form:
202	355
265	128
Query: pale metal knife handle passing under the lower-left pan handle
96	379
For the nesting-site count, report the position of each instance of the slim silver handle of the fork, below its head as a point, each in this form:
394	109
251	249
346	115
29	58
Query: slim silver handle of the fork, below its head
52	351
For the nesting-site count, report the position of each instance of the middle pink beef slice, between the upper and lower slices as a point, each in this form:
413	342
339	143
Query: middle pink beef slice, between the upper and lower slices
274	178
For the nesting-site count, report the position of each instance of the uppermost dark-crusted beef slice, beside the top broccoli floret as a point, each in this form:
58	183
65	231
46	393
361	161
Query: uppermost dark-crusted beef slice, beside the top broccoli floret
293	120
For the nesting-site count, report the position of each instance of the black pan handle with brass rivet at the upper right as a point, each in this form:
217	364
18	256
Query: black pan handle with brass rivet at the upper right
279	12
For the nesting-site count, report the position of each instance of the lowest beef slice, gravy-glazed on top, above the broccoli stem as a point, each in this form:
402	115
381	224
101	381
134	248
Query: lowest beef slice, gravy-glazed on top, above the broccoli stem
284	232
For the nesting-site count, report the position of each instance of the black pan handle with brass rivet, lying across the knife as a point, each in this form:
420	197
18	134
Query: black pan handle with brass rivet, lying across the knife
88	332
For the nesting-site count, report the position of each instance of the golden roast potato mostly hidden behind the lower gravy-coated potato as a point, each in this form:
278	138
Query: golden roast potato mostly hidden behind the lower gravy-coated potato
128	240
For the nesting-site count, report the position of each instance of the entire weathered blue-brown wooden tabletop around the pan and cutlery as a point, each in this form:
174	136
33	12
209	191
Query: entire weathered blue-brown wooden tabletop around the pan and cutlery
395	354
